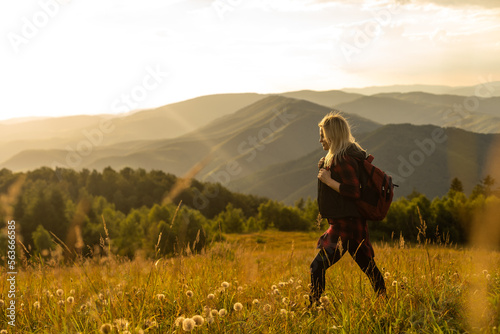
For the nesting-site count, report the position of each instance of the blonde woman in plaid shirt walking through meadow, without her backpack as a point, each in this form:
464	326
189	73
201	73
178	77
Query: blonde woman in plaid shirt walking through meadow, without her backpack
338	187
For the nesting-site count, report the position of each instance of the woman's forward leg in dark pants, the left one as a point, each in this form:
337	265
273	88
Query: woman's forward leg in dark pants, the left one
321	262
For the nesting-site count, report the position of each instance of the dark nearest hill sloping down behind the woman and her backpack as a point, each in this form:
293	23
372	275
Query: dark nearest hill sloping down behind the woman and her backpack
430	170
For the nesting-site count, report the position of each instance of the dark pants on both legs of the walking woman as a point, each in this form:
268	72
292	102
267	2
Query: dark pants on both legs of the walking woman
327	258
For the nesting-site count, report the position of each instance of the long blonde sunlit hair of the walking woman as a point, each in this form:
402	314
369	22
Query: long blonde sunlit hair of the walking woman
337	133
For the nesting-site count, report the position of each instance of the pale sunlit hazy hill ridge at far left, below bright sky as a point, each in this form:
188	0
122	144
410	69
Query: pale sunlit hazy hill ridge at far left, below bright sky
169	121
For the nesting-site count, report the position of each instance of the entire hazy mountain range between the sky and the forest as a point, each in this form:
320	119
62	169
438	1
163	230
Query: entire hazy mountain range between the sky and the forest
268	144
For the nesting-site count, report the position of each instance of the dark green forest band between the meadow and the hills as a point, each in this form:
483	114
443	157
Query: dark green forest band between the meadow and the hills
137	212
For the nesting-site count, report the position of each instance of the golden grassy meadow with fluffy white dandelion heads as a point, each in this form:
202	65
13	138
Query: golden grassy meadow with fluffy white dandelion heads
258	283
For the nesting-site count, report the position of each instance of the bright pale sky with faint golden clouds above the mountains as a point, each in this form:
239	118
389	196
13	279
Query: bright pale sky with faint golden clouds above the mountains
69	57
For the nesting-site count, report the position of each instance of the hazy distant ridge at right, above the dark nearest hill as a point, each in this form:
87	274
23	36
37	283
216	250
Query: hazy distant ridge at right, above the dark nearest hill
477	115
